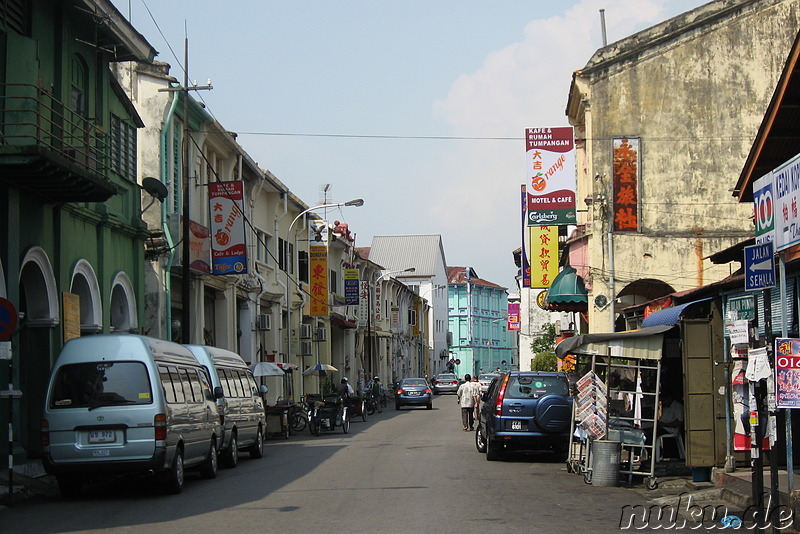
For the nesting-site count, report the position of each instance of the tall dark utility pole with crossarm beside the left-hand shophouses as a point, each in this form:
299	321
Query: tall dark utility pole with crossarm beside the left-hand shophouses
185	231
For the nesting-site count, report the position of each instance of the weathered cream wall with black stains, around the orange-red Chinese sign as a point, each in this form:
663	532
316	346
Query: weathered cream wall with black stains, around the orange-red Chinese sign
694	90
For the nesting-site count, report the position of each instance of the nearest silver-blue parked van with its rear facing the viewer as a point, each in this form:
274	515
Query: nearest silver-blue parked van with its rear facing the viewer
120	403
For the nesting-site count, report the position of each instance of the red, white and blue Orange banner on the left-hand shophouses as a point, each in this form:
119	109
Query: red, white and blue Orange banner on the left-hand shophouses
228	245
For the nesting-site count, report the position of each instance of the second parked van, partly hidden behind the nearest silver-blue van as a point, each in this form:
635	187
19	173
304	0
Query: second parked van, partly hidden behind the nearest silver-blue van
240	405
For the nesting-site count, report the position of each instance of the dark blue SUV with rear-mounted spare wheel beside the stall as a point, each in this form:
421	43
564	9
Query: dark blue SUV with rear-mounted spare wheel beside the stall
525	410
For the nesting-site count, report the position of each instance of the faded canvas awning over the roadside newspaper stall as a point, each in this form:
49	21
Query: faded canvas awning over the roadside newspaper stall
645	343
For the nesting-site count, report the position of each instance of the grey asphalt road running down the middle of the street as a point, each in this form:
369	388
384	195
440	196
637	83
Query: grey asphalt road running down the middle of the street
409	471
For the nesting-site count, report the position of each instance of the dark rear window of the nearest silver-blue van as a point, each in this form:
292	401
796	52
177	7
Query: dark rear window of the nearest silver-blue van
92	384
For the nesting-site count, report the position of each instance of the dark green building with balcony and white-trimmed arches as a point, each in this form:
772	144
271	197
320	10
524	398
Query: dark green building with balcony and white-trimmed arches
71	237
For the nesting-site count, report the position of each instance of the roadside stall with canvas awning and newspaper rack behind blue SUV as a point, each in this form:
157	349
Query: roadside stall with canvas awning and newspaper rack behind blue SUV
616	401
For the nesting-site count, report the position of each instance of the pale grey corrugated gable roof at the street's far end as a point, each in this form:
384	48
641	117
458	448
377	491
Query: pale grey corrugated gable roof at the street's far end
396	252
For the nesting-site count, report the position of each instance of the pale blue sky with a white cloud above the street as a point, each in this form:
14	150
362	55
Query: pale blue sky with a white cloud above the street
417	106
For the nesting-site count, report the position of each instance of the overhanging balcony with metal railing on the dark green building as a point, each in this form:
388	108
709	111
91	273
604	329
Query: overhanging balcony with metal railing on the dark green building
49	150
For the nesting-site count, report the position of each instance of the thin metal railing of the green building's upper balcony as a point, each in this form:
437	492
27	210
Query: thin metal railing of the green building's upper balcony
31	116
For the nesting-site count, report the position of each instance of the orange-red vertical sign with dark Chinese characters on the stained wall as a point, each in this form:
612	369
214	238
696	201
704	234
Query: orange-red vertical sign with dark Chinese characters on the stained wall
626	184
